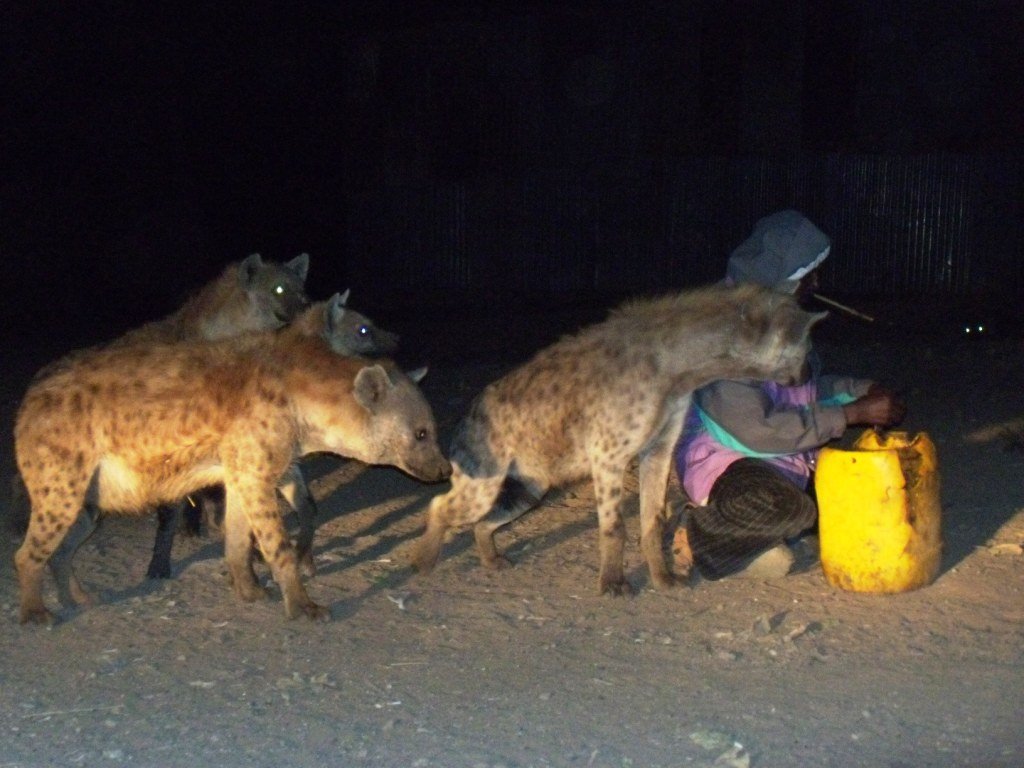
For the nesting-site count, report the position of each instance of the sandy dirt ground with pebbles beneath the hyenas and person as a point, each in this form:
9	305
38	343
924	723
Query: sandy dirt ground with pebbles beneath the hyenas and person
529	666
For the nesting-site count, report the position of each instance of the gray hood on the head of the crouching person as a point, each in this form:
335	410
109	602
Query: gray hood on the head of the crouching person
784	248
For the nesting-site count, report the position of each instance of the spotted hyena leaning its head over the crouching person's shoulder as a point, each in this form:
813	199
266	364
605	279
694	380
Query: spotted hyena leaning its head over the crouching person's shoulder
593	402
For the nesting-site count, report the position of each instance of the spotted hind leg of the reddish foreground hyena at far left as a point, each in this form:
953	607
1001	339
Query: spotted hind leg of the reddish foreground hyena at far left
56	506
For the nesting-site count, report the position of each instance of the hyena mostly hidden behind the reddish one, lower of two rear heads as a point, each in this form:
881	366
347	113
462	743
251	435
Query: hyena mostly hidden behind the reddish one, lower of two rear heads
347	332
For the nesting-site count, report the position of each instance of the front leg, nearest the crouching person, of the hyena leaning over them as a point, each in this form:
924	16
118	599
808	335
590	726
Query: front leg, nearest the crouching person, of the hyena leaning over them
656	463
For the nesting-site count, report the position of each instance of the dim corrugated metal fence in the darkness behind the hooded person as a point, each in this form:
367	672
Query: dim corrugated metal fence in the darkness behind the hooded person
941	226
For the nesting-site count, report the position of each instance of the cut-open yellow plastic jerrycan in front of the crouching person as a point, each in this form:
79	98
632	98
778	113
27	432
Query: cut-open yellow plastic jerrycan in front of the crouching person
879	514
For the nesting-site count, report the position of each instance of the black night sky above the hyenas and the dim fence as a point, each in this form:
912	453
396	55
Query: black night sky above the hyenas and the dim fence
139	136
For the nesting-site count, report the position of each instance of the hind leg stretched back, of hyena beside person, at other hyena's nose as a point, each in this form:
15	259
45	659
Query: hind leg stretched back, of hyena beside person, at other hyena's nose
468	501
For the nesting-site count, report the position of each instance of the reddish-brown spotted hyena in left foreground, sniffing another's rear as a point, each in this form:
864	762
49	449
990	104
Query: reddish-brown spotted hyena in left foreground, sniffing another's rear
132	426
